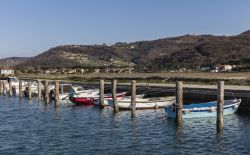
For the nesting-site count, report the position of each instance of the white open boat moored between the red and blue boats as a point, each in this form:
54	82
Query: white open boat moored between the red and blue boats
143	103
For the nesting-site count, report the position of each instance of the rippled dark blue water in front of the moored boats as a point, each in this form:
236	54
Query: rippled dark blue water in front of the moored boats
30	128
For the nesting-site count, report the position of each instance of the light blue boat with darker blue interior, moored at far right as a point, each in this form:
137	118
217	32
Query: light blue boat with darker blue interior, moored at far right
207	109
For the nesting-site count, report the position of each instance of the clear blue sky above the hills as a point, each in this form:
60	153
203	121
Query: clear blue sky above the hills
29	27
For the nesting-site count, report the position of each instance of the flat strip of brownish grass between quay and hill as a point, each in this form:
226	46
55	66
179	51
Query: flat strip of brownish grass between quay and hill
192	78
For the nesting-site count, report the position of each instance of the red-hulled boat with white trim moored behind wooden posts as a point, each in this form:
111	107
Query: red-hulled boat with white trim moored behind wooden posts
83	100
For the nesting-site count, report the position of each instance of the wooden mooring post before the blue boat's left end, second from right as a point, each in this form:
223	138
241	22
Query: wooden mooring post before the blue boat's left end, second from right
179	102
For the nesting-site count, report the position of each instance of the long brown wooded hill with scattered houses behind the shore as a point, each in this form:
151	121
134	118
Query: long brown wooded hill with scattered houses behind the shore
189	51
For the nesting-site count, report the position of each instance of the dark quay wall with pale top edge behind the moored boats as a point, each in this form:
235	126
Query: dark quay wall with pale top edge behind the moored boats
192	93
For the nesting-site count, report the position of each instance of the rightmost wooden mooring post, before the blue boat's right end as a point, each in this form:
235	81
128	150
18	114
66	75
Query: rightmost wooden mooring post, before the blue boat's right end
220	104
